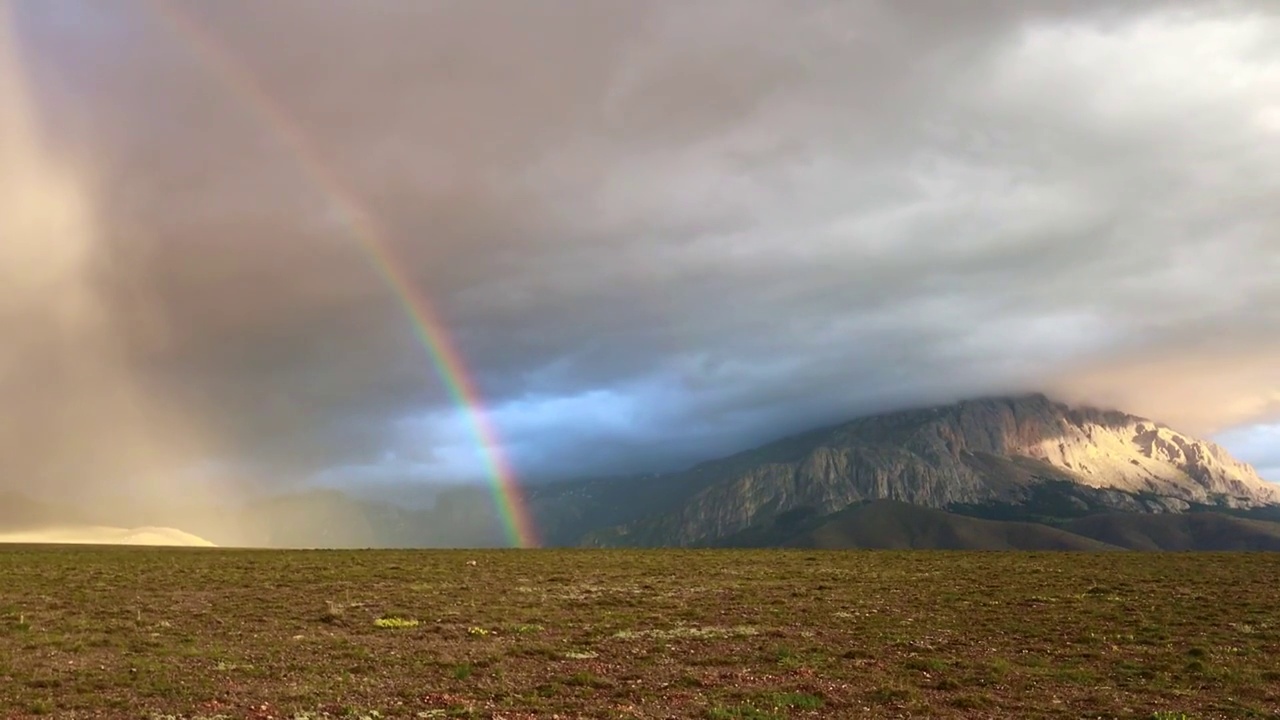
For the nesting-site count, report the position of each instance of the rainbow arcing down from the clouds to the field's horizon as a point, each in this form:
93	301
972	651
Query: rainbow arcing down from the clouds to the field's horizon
428	329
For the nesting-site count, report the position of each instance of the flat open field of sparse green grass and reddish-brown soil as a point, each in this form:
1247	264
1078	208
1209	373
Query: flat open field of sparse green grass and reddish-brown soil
92	632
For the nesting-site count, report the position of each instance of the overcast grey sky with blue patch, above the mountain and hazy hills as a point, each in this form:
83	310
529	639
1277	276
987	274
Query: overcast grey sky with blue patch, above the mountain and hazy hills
653	233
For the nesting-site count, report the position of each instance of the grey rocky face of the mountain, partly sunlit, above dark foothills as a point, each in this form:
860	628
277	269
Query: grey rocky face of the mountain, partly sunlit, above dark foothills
973	453
